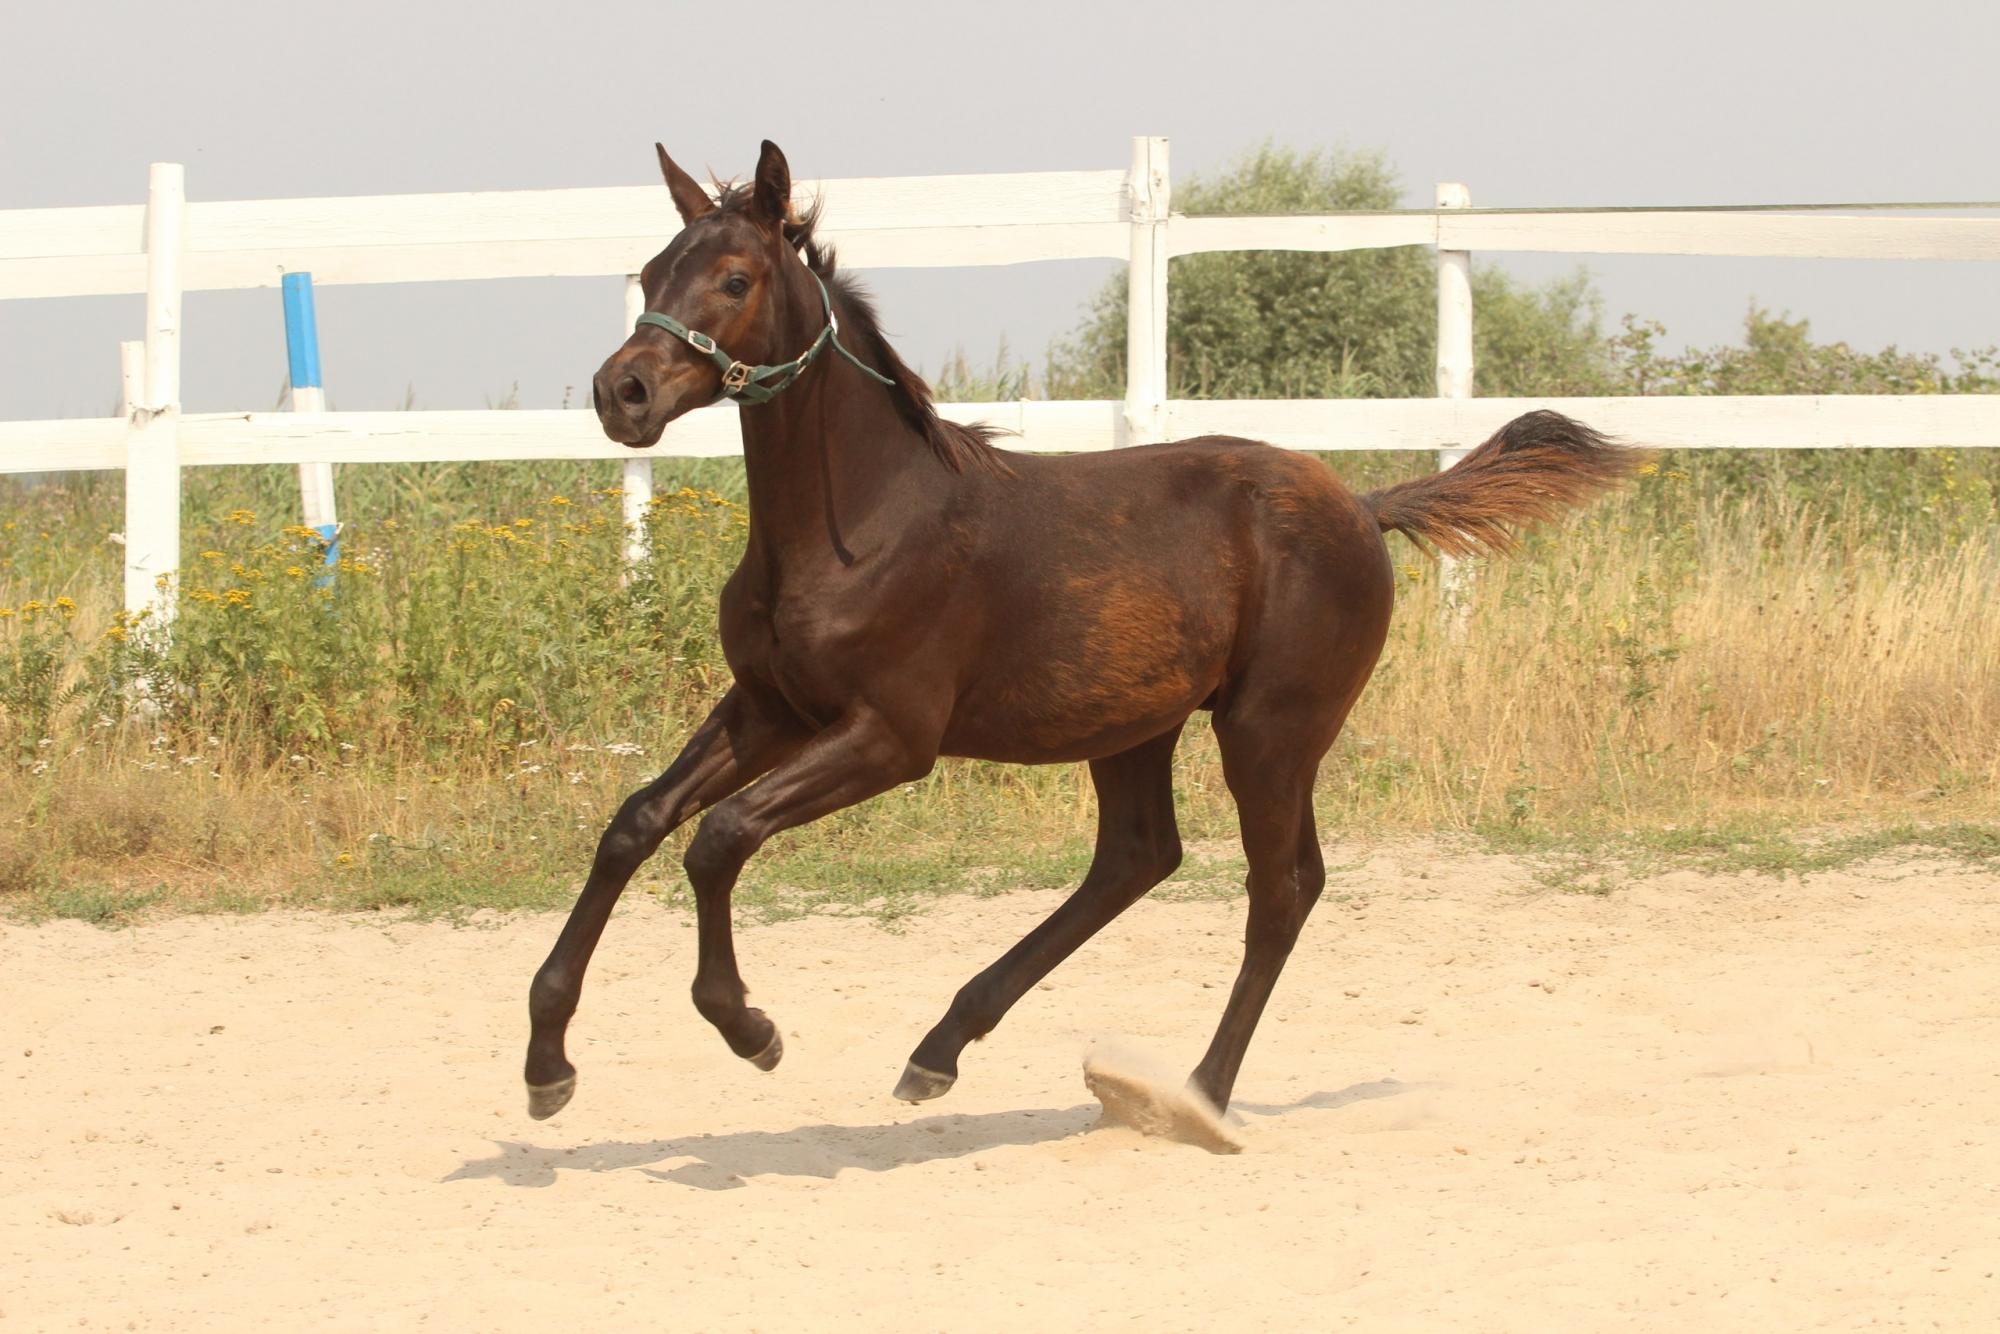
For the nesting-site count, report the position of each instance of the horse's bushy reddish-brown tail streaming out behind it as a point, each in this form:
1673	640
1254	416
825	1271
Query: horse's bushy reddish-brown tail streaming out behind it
1533	471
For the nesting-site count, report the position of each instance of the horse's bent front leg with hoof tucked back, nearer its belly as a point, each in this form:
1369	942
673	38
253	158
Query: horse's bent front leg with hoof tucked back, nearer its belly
849	763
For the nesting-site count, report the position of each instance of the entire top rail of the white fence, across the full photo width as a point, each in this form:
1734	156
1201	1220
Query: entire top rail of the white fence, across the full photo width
903	223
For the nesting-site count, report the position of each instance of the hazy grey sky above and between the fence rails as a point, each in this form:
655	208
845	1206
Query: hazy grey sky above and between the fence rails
1531	105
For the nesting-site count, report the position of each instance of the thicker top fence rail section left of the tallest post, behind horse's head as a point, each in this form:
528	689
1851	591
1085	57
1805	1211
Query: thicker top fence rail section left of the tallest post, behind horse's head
905	223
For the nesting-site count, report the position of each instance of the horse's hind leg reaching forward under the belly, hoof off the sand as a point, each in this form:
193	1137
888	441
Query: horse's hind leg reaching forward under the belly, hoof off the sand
1139	847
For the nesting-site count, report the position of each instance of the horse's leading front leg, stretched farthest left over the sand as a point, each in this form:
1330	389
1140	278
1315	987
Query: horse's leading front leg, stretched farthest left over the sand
739	743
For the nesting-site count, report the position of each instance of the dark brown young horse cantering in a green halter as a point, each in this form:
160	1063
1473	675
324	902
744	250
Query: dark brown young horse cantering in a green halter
911	593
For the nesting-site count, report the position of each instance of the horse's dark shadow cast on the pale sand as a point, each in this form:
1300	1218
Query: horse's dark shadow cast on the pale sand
825	1151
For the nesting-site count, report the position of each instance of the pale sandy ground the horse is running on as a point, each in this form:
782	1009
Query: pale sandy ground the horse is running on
1697	1103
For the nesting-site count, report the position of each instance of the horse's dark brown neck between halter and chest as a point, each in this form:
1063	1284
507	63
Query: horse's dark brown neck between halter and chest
827	453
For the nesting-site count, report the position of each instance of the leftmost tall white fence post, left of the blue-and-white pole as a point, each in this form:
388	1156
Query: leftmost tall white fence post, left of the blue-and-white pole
153	445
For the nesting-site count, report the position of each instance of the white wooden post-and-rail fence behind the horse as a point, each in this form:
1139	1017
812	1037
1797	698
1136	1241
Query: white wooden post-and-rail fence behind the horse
169	247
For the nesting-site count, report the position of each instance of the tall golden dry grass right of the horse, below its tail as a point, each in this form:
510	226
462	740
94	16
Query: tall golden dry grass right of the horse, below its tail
1749	663
